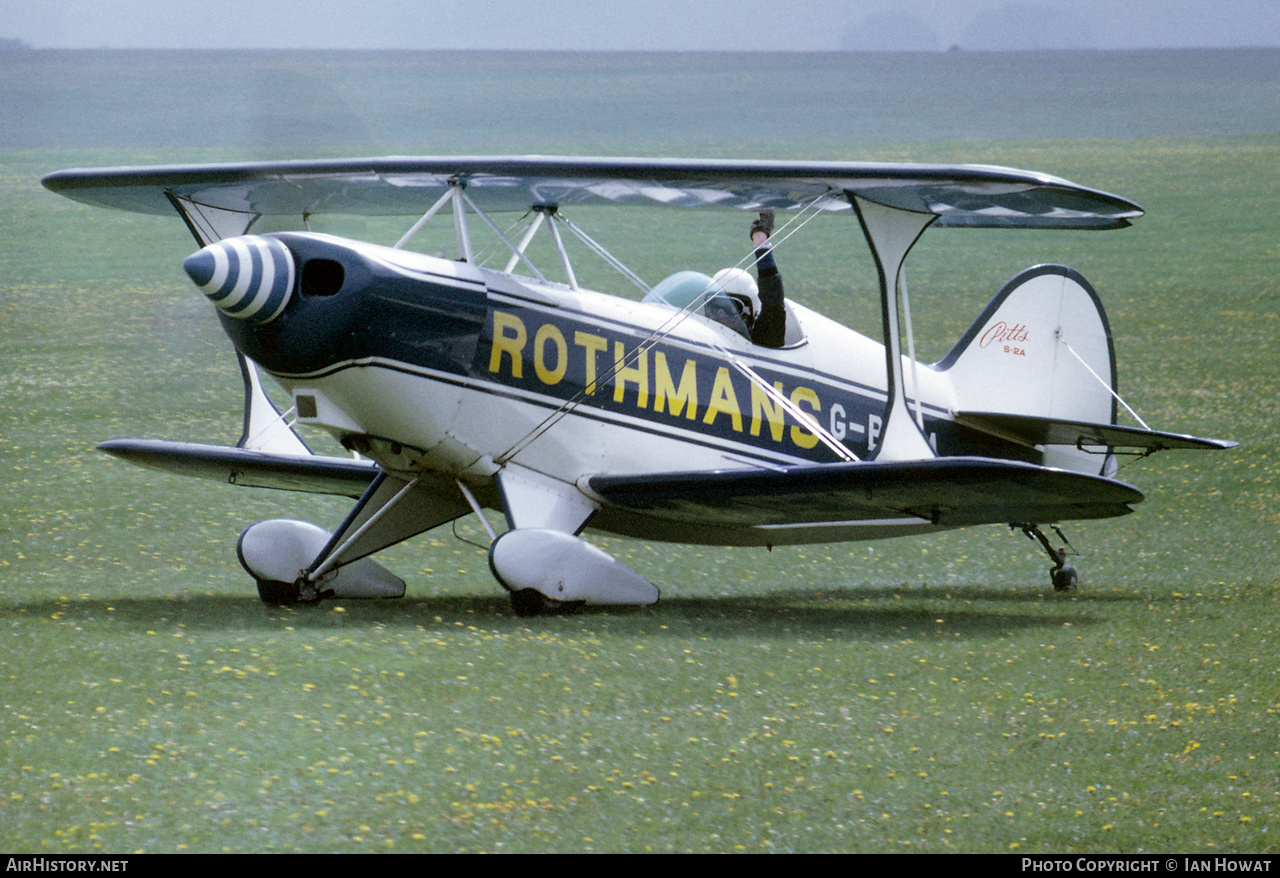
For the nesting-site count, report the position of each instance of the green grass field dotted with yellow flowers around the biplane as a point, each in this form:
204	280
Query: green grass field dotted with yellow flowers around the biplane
924	696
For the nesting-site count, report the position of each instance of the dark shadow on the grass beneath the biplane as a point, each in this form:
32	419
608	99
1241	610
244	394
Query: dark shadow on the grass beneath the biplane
880	612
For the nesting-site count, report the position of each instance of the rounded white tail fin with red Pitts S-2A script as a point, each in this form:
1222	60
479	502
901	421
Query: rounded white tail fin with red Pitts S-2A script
1041	349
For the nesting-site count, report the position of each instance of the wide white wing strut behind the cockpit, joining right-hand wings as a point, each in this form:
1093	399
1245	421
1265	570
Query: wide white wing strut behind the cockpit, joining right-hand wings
892	234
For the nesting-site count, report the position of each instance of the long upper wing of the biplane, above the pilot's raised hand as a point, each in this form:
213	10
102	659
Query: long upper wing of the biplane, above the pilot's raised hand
958	195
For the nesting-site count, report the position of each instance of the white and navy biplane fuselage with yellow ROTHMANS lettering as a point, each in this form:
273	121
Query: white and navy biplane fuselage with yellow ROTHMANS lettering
435	365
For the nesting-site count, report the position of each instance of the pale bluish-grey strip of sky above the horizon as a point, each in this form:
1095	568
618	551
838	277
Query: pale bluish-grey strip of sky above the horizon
641	25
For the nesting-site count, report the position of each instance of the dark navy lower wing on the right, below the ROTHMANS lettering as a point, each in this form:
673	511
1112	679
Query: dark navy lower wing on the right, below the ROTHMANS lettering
947	492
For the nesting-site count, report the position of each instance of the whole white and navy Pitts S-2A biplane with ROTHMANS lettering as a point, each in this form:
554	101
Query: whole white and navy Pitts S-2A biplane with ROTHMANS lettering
460	387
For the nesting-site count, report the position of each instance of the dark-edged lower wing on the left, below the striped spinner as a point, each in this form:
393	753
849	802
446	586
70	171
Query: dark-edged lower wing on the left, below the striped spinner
239	467
